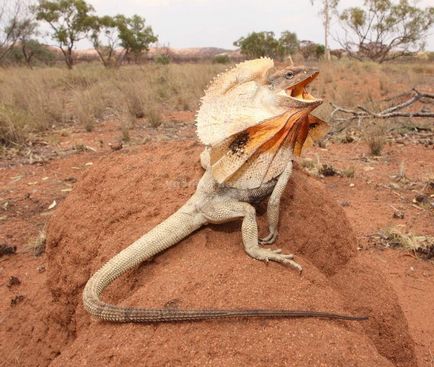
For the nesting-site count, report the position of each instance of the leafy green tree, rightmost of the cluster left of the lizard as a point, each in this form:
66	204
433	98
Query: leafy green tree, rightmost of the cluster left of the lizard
135	37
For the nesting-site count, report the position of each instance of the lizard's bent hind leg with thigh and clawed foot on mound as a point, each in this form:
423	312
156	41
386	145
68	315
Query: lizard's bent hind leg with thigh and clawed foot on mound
226	210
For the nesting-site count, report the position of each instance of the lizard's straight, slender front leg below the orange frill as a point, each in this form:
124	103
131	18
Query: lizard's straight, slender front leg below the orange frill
273	207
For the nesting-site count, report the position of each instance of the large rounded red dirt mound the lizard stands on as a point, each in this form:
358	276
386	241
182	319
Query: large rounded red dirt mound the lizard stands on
125	195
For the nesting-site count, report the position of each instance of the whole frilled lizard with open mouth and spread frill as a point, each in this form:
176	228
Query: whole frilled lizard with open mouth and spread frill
252	119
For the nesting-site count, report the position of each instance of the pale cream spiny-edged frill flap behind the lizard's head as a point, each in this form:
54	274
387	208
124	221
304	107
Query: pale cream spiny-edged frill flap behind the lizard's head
229	105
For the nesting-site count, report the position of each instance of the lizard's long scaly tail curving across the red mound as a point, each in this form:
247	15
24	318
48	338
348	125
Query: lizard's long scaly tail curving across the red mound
168	233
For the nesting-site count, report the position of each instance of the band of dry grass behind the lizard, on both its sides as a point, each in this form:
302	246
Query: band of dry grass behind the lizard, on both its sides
32	101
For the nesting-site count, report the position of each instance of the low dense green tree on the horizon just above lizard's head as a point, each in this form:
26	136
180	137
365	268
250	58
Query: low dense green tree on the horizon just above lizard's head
260	44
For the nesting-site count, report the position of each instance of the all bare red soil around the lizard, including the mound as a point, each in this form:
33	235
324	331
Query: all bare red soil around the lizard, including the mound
128	192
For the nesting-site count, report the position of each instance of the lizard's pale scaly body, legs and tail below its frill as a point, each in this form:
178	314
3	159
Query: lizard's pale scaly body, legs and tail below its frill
211	203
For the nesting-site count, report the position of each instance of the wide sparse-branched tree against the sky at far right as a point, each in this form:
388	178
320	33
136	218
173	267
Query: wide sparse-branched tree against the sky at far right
384	29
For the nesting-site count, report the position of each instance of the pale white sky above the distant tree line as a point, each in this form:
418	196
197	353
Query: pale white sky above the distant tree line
218	23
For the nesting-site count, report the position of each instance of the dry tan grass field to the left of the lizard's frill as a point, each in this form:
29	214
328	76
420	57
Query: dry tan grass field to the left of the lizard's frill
36	100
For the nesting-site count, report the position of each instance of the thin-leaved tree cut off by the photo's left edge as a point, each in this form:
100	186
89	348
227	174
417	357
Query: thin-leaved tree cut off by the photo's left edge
11	13
